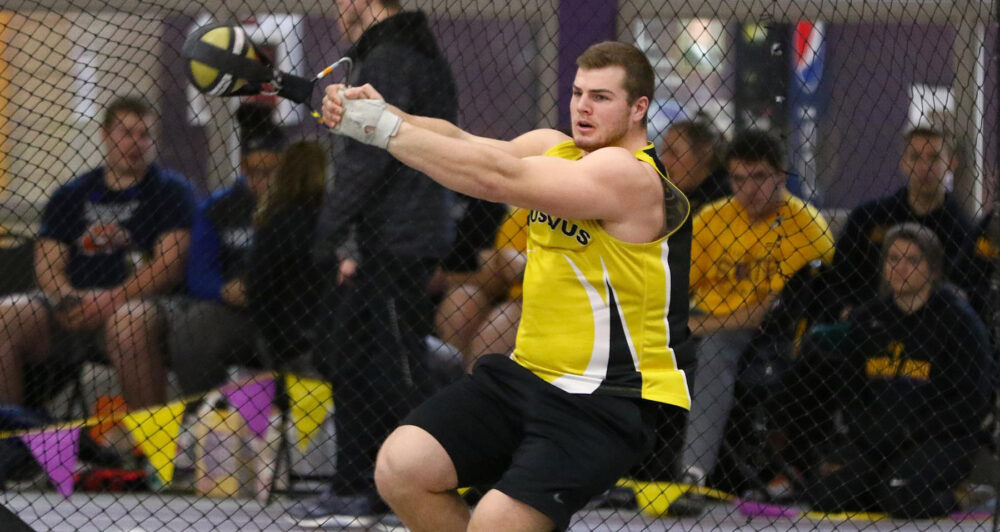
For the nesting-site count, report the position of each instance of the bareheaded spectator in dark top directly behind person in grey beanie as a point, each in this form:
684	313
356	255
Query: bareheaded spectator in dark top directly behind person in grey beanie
926	162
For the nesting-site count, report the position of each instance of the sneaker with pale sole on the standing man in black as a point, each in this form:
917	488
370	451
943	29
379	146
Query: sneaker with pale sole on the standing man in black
329	509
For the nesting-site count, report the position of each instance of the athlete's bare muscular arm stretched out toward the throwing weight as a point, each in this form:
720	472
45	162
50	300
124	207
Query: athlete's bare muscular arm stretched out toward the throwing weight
609	184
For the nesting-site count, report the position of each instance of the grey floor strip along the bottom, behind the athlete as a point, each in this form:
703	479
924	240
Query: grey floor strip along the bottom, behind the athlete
138	513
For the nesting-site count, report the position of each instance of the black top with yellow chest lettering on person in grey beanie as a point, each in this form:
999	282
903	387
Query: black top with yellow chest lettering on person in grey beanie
919	376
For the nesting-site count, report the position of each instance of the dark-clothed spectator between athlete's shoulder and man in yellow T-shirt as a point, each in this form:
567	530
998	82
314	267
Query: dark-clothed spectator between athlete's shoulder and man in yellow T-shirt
693	152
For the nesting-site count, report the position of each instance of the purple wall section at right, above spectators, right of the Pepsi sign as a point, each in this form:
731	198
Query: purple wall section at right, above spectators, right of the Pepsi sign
870	69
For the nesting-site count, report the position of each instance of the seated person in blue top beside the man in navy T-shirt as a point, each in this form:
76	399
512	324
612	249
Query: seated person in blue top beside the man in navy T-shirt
199	333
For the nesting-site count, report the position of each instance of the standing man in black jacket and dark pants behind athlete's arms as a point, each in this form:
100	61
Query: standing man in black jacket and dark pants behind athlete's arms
374	353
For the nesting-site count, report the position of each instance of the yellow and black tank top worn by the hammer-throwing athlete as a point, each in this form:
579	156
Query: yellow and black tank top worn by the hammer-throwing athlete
605	316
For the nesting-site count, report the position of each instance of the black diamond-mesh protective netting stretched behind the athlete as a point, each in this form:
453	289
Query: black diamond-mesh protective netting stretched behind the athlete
215	310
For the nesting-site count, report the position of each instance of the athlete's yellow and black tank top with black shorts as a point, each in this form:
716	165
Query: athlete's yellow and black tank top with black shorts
570	412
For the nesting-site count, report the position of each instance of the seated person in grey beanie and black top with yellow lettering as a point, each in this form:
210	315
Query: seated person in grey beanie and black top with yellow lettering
912	374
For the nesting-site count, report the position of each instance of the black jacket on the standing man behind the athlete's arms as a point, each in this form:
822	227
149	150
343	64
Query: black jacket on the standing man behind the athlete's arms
392	208
